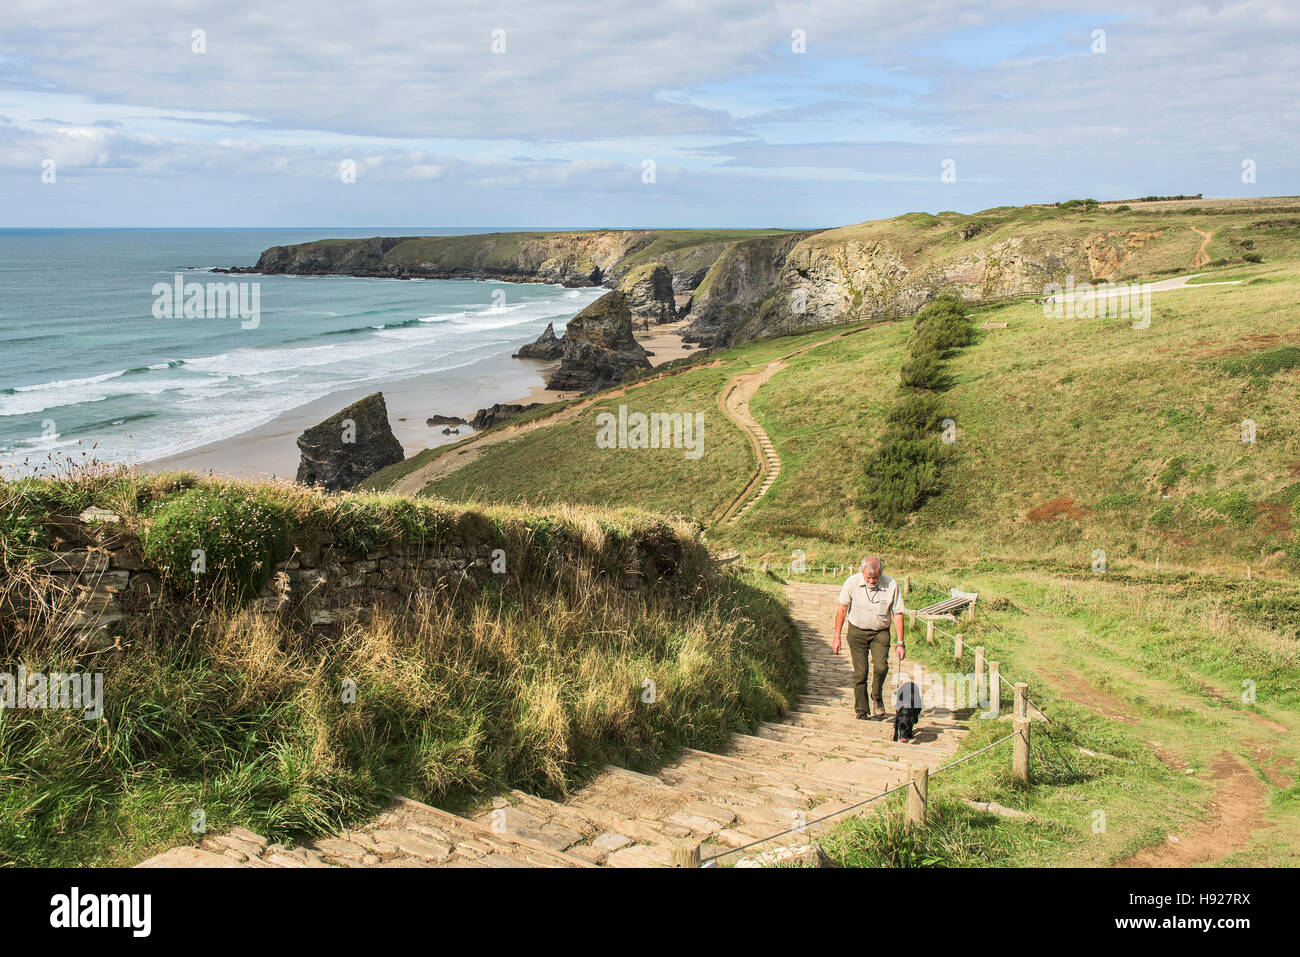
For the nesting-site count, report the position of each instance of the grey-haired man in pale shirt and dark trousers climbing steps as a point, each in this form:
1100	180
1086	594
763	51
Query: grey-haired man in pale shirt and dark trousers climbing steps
870	600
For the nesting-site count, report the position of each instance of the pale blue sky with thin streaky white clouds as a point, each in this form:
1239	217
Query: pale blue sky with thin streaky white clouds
583	114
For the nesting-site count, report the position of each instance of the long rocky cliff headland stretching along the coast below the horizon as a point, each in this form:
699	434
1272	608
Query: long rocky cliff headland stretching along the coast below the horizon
740	285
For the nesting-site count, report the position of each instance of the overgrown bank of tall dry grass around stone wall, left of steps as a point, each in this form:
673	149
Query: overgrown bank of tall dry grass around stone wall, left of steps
532	679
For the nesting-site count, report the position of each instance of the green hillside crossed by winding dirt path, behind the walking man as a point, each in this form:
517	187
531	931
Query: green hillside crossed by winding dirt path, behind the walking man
1072	435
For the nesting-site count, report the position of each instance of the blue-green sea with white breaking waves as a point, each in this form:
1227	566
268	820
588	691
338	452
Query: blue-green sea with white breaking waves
98	354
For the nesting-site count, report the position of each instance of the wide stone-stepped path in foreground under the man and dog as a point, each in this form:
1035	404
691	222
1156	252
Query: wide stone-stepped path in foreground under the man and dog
818	760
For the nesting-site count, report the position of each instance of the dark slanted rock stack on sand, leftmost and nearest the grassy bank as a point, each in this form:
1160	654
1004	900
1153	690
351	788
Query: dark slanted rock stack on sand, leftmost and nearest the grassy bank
349	447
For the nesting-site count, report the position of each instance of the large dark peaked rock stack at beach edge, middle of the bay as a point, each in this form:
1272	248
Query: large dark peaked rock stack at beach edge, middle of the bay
600	348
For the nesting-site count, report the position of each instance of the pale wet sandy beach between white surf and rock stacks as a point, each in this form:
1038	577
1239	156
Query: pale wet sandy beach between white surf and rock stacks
271	451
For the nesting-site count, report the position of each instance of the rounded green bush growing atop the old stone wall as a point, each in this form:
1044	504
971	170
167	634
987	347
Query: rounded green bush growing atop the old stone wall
210	539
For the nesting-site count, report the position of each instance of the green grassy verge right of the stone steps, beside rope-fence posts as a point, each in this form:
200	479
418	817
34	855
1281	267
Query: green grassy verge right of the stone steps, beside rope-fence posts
1142	716
